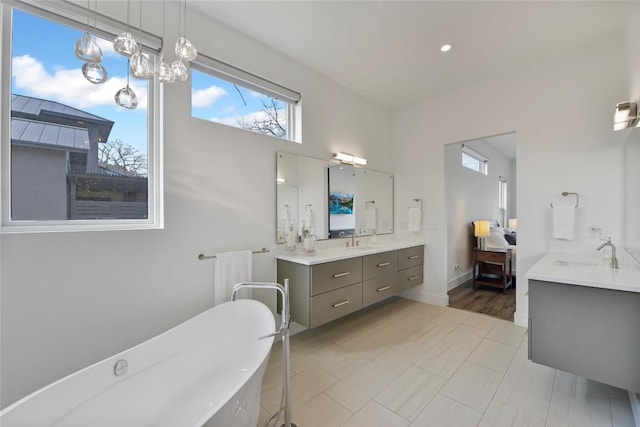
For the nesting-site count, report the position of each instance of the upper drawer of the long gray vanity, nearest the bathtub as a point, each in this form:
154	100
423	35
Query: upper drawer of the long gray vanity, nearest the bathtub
337	274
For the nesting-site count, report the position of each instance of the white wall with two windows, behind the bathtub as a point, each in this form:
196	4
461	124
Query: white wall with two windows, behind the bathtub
71	299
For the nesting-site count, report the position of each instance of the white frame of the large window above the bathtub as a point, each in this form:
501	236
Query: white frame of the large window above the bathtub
72	15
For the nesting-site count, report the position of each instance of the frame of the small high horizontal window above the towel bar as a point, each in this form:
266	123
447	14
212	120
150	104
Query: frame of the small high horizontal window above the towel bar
223	71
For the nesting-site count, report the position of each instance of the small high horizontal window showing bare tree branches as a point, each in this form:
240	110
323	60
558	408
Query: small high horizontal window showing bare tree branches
225	94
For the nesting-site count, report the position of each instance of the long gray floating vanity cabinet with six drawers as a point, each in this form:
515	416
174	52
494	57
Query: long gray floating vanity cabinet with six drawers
320	293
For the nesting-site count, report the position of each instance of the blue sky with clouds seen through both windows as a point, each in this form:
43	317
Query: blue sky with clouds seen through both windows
50	70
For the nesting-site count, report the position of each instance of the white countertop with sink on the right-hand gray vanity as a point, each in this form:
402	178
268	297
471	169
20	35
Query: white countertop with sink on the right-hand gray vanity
587	270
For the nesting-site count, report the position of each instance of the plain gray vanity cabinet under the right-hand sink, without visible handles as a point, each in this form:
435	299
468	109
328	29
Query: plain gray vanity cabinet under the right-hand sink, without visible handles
590	332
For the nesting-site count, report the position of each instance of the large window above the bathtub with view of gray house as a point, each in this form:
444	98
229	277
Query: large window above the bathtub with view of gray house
71	157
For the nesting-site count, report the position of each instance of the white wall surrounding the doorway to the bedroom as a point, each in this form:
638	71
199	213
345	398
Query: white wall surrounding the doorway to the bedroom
561	112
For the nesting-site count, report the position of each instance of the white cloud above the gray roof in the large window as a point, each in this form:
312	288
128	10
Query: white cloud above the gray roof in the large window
69	86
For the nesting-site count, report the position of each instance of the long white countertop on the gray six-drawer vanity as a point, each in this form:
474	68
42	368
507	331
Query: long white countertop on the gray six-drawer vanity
337	253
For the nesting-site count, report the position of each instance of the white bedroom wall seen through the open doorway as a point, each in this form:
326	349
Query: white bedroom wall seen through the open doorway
469	196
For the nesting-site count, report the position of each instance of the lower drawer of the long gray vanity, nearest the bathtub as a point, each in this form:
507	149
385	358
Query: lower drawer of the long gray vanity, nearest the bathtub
335	304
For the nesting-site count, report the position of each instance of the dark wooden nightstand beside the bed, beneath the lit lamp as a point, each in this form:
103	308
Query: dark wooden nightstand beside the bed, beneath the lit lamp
492	268
